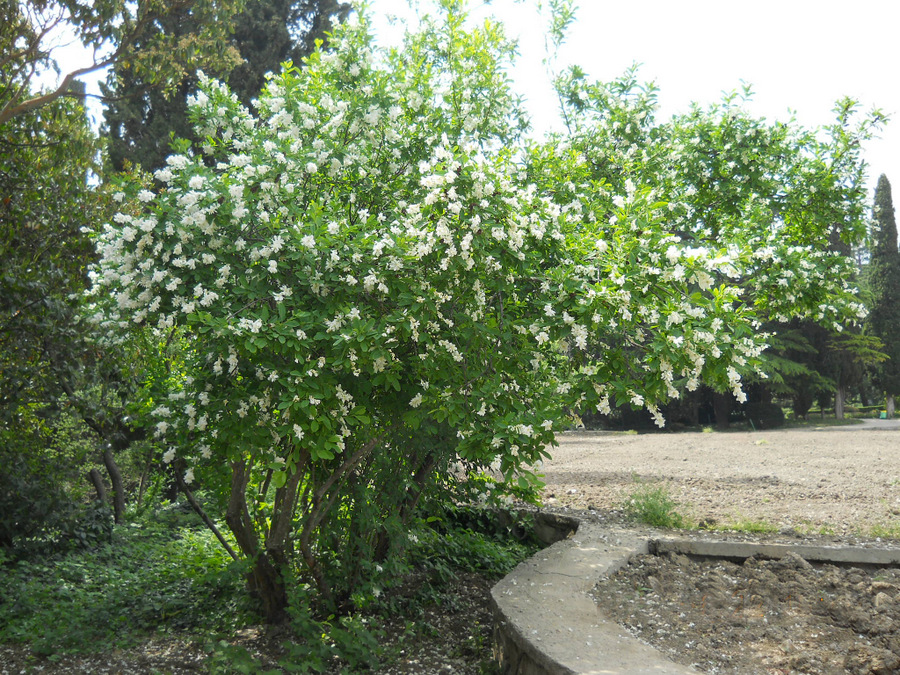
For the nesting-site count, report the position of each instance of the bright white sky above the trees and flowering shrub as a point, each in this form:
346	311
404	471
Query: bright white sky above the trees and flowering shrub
800	55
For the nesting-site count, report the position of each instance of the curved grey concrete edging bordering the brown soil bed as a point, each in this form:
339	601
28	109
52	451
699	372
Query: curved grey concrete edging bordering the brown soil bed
546	623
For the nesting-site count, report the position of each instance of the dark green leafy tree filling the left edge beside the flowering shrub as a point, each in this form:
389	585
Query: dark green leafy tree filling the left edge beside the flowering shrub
48	204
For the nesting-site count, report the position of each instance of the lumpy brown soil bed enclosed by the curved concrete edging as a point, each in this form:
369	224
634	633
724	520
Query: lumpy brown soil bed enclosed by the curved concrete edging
762	616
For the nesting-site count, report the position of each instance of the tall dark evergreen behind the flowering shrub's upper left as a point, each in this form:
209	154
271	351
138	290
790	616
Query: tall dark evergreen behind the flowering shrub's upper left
141	119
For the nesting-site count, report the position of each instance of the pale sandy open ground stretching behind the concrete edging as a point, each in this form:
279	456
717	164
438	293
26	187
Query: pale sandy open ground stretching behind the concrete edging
829	480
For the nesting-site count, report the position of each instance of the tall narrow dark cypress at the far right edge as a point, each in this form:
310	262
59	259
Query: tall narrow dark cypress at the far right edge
884	286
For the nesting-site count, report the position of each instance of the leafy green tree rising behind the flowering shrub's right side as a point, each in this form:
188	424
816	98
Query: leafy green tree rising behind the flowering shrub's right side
775	191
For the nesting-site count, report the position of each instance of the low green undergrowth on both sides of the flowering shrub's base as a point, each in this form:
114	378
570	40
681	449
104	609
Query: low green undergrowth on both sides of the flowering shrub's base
167	575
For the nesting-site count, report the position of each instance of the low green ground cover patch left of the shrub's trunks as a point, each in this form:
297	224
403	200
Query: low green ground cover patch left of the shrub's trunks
148	578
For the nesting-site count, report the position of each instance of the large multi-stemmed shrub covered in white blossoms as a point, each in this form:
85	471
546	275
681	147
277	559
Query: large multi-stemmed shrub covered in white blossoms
376	285
